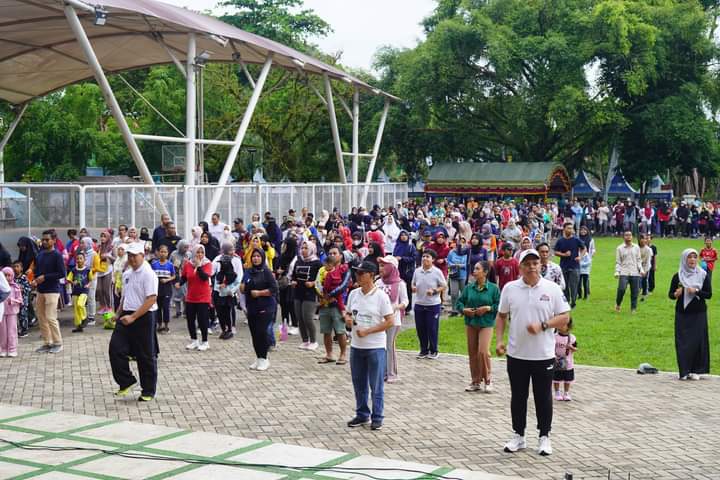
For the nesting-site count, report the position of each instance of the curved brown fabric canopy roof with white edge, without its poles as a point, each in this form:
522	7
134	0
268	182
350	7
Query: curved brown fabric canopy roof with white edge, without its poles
39	52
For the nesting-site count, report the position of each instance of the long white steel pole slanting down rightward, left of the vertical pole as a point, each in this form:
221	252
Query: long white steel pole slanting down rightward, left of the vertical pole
108	94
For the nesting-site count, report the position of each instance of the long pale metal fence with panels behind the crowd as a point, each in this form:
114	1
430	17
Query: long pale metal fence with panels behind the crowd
30	208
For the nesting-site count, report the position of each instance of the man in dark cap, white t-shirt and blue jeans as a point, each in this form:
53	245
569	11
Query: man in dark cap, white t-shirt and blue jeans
369	313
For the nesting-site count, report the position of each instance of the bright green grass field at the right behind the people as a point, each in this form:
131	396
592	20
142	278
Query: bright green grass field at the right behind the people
607	338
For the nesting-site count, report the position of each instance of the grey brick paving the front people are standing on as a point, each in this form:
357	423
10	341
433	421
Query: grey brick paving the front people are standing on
651	427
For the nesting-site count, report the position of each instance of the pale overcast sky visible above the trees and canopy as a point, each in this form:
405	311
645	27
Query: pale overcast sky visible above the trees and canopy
360	27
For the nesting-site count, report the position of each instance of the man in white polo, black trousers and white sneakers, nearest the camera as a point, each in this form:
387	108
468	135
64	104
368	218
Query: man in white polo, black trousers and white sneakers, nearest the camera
536	306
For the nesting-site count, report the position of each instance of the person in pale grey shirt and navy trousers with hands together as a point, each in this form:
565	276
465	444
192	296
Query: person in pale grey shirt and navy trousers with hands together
427	284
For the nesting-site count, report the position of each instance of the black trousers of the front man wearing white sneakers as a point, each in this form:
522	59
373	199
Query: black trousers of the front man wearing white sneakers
541	373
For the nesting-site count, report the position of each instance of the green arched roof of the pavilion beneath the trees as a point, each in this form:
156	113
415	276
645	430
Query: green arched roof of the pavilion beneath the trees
499	178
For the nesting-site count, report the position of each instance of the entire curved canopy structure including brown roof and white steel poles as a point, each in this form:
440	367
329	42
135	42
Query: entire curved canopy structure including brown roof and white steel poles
46	45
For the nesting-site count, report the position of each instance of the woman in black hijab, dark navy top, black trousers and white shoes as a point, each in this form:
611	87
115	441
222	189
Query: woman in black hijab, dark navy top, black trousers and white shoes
260	289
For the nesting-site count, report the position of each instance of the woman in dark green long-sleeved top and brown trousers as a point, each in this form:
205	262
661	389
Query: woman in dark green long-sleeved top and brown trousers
479	302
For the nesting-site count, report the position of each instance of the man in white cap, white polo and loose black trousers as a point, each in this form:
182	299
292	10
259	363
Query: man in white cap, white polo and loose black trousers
134	332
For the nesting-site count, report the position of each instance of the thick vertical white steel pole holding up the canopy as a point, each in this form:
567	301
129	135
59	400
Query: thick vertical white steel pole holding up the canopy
190	129
